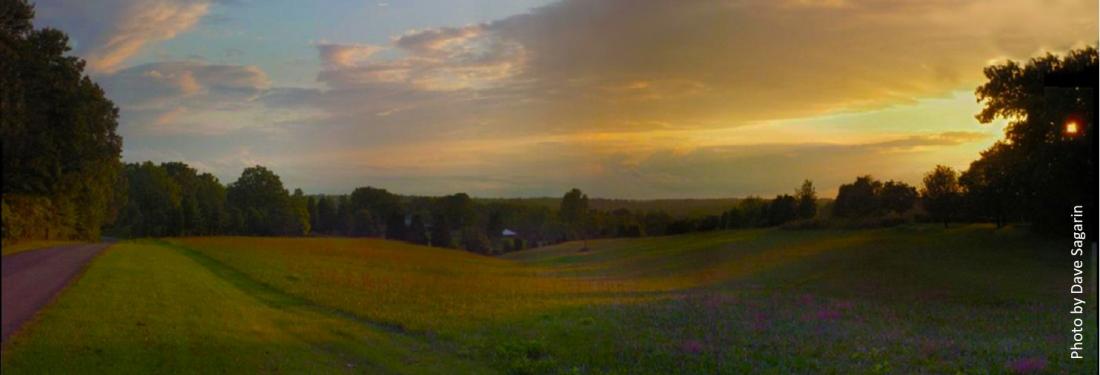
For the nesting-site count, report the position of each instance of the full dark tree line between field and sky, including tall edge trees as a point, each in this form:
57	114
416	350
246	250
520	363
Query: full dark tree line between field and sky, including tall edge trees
63	178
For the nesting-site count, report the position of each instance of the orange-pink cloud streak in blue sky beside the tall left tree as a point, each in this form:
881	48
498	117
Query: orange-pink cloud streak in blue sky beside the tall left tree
111	32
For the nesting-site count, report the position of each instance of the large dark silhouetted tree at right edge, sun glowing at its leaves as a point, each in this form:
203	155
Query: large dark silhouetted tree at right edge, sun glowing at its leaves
1049	169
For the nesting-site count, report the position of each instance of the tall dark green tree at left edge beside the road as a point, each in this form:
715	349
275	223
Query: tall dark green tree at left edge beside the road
61	151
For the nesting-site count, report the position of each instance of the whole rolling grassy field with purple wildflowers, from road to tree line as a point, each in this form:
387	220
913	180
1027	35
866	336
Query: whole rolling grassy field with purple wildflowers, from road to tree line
969	300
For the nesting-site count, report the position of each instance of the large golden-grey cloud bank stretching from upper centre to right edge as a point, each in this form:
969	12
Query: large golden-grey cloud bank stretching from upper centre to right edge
578	65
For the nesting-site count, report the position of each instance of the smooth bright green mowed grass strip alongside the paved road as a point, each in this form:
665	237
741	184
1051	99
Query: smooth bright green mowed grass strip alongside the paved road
146	308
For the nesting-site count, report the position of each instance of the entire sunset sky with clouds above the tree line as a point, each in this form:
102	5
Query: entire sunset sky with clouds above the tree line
505	98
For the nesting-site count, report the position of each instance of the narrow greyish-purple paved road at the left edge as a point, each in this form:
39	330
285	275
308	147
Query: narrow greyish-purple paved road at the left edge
32	279
